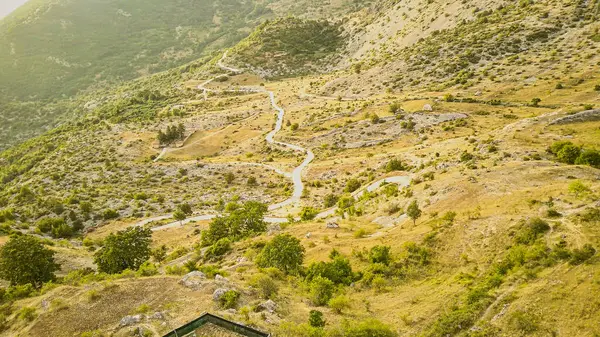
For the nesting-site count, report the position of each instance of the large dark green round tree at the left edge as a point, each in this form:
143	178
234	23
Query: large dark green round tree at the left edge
23	260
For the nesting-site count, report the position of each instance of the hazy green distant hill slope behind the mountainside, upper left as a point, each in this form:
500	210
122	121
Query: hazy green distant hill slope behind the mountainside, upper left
54	48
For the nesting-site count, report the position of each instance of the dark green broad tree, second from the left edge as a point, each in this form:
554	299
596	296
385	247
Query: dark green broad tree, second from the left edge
127	249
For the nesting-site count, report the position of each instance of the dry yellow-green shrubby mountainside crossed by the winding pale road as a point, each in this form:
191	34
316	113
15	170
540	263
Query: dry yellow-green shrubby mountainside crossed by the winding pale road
403	169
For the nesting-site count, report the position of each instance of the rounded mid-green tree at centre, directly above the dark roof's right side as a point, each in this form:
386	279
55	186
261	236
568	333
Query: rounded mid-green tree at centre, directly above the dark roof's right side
284	252
